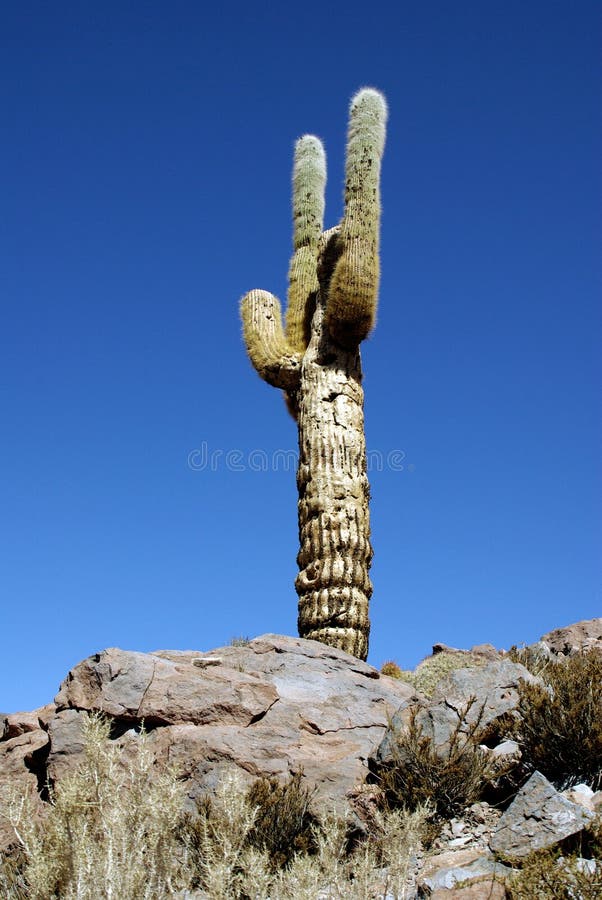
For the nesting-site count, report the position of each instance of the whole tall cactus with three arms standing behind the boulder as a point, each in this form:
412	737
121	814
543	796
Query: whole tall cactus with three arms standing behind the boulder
315	360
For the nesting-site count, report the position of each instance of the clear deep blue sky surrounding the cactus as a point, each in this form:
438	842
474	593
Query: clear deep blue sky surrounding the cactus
146	155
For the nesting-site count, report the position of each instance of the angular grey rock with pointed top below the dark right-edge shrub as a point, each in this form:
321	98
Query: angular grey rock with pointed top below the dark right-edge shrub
537	818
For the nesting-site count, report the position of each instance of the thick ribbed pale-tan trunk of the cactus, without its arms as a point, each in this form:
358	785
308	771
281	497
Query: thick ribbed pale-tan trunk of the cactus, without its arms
334	521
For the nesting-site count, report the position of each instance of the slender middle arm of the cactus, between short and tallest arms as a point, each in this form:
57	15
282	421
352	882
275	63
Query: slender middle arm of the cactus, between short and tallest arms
309	180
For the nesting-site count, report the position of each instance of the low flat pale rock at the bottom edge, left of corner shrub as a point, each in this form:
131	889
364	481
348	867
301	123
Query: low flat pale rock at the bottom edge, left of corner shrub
452	873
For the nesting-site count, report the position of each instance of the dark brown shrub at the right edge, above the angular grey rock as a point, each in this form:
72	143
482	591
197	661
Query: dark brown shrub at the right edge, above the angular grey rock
560	725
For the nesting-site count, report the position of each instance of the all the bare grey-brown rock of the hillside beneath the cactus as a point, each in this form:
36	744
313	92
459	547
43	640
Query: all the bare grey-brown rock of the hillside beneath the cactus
276	706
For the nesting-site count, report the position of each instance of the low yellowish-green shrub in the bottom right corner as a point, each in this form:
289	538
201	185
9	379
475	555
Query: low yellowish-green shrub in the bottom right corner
547	876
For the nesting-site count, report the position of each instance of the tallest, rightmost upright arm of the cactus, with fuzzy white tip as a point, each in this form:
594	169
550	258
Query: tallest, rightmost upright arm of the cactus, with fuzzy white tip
352	297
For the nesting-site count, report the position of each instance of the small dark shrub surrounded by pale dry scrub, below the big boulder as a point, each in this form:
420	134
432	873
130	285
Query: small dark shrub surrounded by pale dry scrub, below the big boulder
283	824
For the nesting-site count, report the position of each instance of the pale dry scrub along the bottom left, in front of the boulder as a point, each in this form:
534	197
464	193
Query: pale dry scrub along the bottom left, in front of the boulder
118	832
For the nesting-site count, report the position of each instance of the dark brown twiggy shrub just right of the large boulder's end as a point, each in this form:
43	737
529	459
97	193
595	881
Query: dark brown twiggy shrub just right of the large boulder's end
449	777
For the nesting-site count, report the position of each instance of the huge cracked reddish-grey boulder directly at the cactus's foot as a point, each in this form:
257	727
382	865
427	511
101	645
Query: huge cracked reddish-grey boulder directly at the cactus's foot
273	707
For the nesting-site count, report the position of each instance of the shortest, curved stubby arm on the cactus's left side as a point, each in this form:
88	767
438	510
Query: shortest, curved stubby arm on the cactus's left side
269	351
